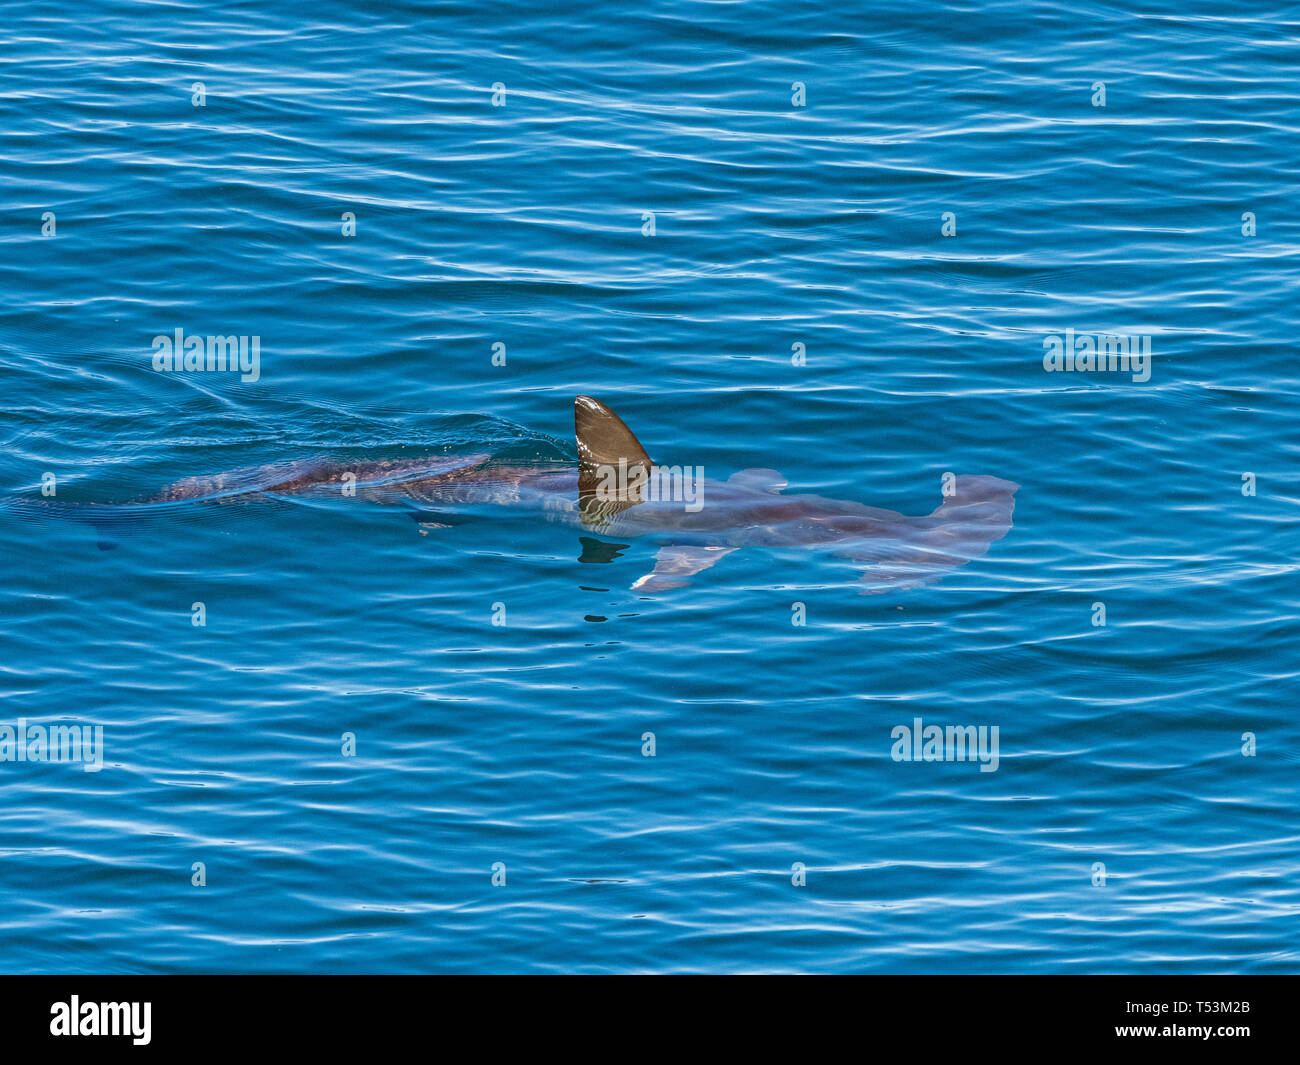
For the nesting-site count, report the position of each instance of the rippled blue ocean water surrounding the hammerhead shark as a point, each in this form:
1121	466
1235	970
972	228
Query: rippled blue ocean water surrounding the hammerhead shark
868	219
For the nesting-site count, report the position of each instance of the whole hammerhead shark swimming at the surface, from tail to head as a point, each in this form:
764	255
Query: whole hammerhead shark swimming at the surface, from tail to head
751	509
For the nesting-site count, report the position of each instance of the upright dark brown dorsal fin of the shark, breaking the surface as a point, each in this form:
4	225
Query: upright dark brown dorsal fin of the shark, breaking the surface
613	466
